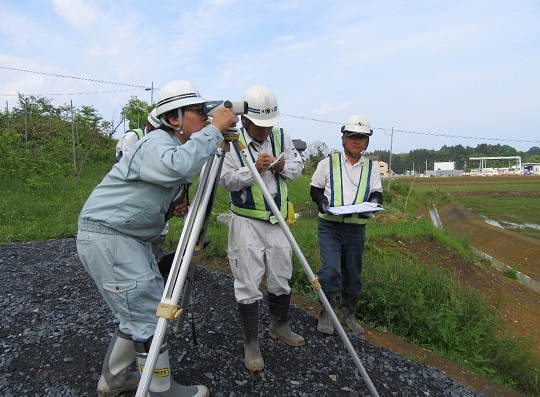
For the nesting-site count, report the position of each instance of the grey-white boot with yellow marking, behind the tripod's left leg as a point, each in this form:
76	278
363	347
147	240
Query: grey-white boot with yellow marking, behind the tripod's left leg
162	383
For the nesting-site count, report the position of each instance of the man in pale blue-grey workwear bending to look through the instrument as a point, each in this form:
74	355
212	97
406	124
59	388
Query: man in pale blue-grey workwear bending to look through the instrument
125	213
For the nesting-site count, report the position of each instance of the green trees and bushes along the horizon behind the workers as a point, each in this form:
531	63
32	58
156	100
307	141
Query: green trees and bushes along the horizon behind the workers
39	140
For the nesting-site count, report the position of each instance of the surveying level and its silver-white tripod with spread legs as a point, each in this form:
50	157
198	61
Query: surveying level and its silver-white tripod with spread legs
171	310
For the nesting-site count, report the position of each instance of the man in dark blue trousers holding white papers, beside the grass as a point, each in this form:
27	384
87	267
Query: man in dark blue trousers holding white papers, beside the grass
344	178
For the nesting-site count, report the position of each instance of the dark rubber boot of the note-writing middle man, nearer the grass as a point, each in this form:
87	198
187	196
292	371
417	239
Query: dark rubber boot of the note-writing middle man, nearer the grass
278	307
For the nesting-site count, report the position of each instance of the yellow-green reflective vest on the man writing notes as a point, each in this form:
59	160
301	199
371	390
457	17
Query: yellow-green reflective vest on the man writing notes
256	205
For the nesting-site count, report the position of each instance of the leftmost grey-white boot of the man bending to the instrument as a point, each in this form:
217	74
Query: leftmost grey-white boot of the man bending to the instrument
116	378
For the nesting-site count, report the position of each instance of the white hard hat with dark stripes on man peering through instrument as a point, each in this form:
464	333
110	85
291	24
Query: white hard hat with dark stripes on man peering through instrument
177	94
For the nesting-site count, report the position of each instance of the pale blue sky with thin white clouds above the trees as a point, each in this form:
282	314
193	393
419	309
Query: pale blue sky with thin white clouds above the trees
436	72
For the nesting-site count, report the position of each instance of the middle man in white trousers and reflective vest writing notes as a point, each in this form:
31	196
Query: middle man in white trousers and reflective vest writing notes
257	244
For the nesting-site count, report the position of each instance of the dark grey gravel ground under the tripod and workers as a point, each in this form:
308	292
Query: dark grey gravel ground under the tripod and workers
55	330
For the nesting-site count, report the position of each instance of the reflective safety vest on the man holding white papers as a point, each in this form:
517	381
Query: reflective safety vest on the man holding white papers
336	189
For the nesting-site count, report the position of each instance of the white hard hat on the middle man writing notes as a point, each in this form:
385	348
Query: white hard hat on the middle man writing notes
262	106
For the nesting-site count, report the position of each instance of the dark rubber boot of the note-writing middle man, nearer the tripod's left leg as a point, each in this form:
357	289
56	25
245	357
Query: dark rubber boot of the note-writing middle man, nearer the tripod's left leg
249	320
